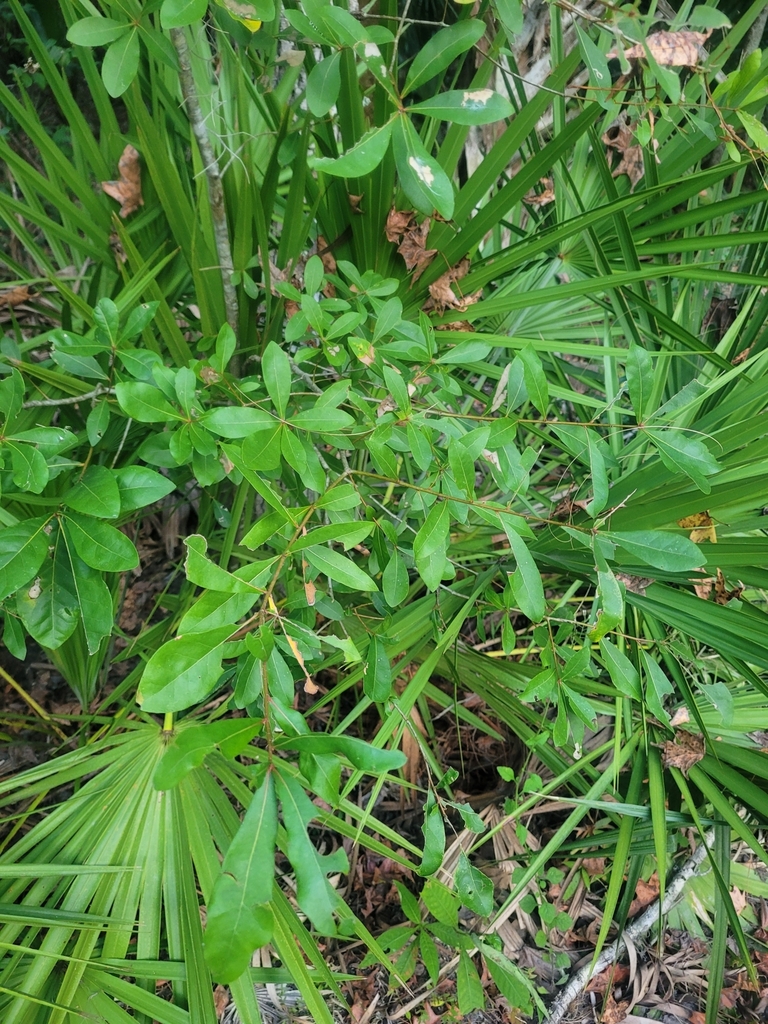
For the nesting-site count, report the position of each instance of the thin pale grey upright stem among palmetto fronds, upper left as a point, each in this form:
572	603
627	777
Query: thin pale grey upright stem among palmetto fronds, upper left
214	176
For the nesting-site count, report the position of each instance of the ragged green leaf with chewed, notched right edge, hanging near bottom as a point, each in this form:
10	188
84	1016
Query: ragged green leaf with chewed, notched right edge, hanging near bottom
314	893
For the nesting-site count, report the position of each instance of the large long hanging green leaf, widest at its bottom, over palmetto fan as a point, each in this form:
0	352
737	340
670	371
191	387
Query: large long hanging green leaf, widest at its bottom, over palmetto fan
239	920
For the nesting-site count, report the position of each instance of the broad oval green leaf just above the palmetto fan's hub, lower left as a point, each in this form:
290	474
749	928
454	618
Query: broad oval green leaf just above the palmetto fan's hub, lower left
184	671
